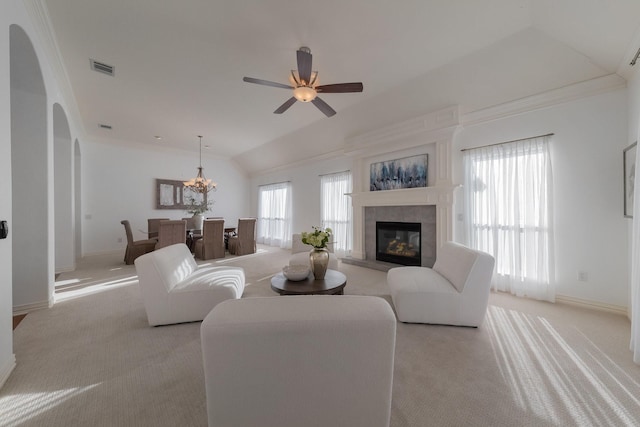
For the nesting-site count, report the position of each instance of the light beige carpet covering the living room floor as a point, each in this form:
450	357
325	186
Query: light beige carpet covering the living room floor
92	359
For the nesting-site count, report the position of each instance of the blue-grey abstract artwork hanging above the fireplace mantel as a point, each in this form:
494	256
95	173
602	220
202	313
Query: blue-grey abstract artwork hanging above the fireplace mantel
406	172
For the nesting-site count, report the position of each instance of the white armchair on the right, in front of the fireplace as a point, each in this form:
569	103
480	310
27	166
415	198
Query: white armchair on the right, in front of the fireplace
454	292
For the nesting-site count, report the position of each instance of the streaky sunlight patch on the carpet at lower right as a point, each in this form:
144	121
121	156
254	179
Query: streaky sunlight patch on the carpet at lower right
593	389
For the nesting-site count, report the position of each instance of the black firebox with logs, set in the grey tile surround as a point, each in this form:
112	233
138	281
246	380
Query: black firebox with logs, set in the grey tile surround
399	242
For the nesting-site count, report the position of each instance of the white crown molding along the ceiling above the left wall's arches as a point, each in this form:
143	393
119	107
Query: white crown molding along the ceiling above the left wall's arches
39	15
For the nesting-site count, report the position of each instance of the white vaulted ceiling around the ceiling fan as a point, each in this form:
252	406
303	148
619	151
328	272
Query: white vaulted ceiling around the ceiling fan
179	64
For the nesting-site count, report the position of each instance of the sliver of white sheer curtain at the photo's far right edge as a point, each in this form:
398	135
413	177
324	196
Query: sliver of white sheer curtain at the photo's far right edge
635	269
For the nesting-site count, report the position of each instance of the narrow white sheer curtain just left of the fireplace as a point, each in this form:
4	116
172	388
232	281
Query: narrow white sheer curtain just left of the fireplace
336	210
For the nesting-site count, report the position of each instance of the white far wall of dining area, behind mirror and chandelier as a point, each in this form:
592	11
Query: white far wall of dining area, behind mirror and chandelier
118	182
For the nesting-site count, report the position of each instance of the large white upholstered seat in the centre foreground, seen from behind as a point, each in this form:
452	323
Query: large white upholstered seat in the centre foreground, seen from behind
299	361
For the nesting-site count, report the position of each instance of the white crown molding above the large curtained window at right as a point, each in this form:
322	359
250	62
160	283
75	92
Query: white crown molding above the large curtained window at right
547	99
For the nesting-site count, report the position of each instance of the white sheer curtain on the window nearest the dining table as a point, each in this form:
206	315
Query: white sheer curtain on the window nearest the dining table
274	215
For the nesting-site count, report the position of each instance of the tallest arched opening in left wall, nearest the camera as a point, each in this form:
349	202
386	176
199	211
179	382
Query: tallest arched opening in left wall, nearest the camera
32	264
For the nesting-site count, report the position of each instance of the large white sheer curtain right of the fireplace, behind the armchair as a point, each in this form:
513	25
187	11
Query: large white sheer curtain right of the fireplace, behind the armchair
508	199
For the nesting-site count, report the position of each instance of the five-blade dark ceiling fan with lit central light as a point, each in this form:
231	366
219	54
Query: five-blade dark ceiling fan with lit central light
305	86
